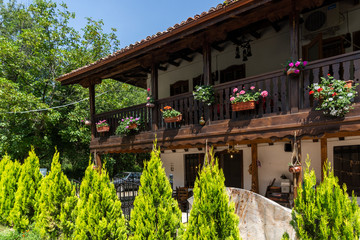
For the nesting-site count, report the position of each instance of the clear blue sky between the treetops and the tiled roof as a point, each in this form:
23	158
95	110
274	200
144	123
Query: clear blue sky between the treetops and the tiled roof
135	20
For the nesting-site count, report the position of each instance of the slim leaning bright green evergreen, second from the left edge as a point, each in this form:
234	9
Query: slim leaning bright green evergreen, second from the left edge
21	216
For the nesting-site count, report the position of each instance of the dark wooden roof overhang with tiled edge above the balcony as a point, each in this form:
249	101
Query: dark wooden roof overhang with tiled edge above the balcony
212	27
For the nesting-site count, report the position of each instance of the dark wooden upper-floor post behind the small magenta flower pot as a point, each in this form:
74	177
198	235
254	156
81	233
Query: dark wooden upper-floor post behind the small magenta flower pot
294	54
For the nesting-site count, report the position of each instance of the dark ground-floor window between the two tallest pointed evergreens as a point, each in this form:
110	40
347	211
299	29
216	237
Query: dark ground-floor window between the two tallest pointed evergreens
193	164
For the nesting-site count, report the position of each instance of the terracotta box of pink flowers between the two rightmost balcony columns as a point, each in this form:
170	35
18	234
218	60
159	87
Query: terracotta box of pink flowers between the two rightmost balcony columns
246	100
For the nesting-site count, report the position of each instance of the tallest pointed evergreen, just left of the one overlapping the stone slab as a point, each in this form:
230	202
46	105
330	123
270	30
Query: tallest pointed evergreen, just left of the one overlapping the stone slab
156	214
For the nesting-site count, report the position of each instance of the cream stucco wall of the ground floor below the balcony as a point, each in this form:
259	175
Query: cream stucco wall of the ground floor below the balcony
274	160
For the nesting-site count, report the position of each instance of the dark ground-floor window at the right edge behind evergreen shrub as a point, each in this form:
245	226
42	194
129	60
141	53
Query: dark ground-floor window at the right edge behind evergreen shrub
347	167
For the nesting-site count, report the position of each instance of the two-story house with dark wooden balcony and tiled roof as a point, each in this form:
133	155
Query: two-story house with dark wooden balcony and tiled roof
234	45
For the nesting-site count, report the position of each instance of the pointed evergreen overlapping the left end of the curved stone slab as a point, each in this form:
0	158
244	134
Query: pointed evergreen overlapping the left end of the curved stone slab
212	217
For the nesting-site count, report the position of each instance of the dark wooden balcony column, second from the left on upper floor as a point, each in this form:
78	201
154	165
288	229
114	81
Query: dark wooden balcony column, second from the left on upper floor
154	91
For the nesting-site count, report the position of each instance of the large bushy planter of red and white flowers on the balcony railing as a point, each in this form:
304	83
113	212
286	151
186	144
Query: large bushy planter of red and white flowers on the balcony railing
336	96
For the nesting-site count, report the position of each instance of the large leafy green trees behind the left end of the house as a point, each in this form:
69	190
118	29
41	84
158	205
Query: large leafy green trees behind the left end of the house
29	69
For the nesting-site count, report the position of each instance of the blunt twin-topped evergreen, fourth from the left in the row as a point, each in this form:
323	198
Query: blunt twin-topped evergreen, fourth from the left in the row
99	214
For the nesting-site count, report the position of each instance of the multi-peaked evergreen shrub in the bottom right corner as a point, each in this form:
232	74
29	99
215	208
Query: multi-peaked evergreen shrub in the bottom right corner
325	211
